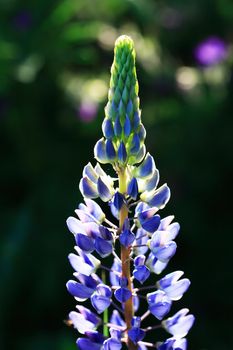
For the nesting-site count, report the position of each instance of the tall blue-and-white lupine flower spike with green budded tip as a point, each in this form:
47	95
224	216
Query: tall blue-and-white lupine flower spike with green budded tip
138	242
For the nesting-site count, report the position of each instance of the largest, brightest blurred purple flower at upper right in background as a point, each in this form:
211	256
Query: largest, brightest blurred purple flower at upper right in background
210	51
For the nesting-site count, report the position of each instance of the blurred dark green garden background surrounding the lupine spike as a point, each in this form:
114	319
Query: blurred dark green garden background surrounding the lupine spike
55	59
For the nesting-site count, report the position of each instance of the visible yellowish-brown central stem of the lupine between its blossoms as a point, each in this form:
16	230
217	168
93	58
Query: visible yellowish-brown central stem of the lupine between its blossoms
125	259
